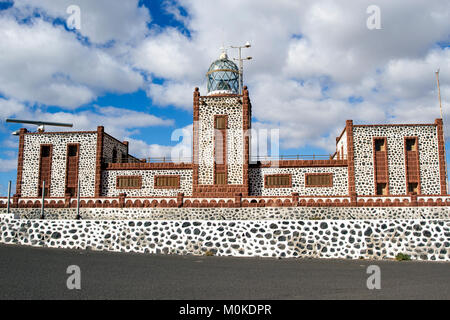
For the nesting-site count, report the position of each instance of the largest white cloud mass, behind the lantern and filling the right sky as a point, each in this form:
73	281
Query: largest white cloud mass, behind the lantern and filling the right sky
311	58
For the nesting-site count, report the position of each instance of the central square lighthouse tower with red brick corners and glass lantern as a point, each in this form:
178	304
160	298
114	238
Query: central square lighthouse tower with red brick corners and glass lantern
222	121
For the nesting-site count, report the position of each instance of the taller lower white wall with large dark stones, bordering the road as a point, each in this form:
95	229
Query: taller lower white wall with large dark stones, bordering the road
350	239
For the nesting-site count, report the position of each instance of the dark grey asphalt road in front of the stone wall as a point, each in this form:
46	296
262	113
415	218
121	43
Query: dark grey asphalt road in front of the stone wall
36	273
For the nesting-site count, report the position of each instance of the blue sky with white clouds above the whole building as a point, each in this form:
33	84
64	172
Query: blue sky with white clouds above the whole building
133	66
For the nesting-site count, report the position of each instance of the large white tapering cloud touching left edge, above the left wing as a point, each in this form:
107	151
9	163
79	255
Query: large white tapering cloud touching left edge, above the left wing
42	63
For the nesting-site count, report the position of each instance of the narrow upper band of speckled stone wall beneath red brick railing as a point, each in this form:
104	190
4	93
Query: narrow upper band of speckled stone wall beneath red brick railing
266	213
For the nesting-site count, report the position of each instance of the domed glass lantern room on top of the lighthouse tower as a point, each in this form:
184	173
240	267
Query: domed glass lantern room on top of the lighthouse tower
223	76
